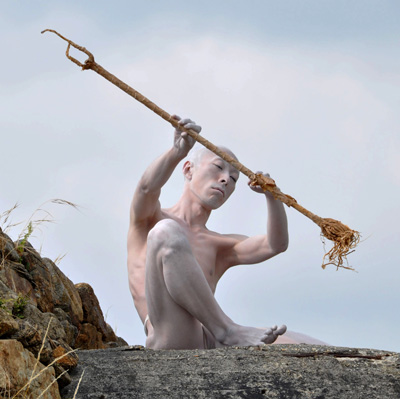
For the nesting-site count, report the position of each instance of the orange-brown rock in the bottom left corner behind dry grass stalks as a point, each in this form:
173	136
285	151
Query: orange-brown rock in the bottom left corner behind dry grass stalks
16	367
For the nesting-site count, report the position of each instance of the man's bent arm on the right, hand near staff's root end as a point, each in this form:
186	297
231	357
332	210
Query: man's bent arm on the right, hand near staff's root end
249	250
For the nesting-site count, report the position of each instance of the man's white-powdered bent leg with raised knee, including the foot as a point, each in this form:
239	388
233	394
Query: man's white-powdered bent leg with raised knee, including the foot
179	298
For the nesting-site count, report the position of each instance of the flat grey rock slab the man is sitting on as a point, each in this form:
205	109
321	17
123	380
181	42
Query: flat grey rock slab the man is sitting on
274	371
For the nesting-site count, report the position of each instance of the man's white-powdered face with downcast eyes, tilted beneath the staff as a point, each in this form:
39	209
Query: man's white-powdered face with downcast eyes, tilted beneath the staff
213	180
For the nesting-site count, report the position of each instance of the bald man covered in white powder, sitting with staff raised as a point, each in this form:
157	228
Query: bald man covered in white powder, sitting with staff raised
175	262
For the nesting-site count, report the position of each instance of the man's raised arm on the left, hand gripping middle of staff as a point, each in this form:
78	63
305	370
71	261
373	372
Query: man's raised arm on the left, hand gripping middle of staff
145	203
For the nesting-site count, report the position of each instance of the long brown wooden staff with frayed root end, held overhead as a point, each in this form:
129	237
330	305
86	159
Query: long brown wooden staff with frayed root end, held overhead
344	239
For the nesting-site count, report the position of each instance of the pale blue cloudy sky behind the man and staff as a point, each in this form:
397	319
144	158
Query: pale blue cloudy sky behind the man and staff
307	91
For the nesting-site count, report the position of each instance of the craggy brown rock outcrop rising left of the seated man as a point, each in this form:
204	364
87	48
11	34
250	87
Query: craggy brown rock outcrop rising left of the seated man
35	297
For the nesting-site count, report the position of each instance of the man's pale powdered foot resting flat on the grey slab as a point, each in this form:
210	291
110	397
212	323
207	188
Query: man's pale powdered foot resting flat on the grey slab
251	336
